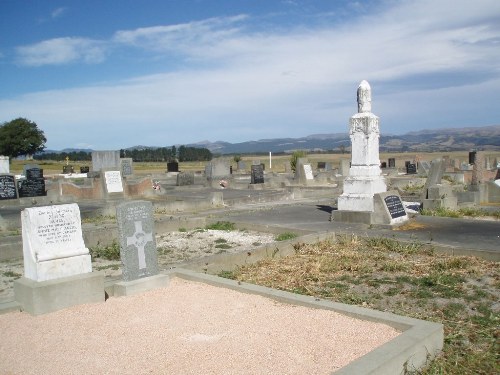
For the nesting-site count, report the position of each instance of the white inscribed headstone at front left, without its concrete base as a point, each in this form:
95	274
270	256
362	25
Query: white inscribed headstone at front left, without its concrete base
53	244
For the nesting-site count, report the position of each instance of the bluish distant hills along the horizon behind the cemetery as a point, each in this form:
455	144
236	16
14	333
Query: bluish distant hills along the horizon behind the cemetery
451	139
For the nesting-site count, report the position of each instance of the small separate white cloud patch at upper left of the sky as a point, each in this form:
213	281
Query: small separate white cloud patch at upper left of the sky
60	51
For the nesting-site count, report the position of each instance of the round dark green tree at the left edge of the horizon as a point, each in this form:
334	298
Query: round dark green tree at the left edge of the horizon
21	137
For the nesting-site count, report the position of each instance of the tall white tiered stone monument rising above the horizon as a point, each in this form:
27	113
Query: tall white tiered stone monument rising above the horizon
365	176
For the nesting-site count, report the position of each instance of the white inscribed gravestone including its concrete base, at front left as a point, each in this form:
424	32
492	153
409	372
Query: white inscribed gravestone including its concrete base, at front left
57	265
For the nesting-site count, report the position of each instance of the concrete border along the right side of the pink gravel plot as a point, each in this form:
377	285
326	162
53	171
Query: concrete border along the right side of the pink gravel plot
418	343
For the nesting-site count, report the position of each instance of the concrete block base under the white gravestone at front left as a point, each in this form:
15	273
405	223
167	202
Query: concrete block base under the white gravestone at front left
42	297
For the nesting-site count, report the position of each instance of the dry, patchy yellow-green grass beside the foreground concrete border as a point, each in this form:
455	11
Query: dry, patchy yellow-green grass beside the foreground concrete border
403	278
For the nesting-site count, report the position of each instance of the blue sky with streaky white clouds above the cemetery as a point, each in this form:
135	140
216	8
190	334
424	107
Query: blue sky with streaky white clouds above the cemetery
111	74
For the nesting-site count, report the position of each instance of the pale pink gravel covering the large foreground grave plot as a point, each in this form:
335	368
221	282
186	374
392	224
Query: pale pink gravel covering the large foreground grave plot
186	328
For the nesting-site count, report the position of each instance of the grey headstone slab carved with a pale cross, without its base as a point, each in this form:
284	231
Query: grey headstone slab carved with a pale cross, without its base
137	239
